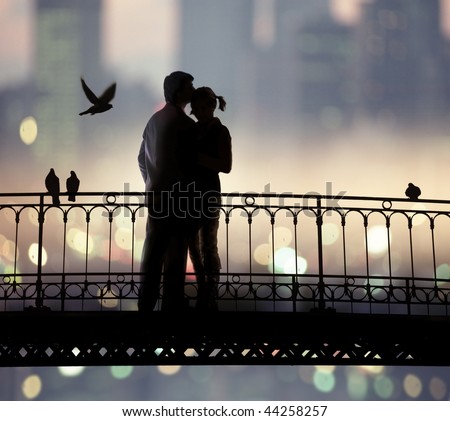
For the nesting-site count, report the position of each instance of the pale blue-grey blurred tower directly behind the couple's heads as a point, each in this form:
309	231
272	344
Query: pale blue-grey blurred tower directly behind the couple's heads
215	39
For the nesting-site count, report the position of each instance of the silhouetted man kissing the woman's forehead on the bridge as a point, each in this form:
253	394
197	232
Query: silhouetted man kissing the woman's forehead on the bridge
163	165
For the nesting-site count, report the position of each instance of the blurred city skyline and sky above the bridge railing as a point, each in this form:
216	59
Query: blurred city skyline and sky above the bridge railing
328	79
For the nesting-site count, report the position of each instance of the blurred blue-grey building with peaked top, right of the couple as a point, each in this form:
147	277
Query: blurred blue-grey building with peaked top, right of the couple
325	57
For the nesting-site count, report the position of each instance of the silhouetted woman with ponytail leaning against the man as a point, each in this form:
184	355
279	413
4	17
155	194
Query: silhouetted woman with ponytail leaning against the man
214	155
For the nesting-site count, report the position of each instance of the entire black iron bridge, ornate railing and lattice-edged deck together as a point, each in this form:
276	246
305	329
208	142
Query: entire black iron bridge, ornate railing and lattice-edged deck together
306	279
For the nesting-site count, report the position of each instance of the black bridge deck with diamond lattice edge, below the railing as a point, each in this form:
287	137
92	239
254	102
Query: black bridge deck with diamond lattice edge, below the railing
47	338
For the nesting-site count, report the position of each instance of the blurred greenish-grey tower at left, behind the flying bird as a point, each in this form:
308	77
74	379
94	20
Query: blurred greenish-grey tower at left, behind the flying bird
67	46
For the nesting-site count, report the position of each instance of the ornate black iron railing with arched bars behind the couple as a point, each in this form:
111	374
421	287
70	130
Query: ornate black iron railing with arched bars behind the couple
279	252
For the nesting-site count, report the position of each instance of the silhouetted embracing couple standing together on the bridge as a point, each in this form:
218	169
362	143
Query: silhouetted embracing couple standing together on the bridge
180	160
